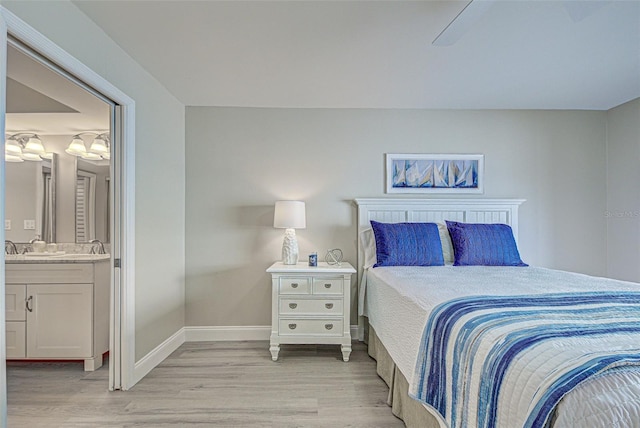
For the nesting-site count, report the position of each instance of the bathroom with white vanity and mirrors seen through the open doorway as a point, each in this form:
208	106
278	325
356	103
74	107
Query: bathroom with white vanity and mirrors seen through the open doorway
63	195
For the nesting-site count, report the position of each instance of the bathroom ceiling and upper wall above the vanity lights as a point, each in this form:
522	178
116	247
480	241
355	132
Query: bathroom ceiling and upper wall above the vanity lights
42	101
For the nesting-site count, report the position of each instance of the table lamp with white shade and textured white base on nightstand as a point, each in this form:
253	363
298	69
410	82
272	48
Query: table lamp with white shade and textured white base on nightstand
289	215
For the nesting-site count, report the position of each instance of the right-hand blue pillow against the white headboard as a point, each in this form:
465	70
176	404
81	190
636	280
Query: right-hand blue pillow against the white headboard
476	244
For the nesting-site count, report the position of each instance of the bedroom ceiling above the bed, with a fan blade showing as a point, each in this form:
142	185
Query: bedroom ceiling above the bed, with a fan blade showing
517	54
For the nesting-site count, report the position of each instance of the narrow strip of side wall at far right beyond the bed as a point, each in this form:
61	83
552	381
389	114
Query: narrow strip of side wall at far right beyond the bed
623	195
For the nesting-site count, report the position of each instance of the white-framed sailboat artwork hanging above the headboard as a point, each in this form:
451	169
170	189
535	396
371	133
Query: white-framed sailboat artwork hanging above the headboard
435	173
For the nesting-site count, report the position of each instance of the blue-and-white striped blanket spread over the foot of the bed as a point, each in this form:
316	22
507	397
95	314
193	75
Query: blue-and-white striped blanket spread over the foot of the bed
507	361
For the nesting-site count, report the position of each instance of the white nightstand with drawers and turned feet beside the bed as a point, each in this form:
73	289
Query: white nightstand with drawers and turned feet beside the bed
310	305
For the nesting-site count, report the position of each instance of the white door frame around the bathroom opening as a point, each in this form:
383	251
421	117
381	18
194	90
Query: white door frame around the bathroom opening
122	332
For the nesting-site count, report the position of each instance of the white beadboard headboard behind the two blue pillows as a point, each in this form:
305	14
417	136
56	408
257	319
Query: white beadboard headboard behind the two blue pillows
396	210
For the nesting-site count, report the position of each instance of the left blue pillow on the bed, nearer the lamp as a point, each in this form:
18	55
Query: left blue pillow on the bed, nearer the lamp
407	244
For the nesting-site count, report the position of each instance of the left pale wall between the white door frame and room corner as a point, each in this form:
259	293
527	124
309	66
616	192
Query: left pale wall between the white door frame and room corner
159	165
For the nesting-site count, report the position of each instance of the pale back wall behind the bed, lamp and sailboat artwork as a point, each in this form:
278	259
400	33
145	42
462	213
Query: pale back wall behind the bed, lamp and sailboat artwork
239	161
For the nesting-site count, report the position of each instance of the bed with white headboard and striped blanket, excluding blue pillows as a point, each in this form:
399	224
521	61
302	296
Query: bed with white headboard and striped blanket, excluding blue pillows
434	332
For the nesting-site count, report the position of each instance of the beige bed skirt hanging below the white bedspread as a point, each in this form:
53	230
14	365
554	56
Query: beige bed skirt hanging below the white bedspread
412	412
